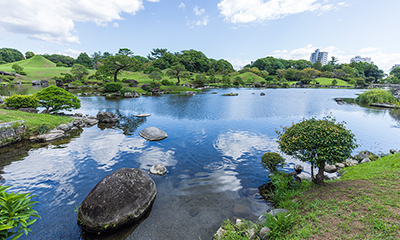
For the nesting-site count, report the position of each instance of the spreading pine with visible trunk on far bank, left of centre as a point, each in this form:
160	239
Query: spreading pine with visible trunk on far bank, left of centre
113	65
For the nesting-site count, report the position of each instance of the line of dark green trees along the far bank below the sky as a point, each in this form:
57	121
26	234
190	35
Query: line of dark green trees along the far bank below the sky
180	64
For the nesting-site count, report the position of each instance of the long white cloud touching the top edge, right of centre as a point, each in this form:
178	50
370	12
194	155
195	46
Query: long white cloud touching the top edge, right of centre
238	11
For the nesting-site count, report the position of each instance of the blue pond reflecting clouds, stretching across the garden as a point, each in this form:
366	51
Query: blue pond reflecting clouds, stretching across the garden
212	154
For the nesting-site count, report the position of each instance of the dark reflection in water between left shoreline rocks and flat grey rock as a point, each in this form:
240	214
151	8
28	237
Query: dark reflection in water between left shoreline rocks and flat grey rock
128	124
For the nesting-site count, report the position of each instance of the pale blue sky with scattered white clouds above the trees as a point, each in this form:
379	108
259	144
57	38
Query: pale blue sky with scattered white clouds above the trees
237	30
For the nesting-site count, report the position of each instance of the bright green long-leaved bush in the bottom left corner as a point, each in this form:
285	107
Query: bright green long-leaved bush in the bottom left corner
16	213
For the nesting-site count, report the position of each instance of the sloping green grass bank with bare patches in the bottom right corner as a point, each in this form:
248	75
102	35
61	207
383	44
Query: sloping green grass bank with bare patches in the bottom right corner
362	204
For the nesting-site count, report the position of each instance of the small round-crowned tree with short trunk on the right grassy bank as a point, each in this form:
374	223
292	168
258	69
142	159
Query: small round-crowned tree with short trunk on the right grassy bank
319	142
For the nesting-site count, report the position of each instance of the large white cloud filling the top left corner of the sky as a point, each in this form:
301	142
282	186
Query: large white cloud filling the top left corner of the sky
54	20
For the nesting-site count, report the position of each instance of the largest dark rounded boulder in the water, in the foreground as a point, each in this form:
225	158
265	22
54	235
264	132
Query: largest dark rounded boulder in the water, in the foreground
118	199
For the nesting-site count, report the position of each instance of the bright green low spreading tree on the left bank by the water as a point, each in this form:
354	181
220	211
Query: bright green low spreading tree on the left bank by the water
55	99
